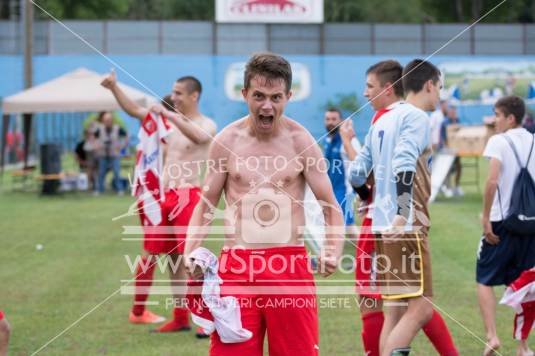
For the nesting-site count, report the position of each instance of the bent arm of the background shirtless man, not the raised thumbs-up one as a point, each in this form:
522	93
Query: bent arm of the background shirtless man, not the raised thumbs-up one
199	134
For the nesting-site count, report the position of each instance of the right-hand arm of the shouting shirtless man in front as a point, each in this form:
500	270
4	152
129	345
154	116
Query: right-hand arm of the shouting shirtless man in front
321	186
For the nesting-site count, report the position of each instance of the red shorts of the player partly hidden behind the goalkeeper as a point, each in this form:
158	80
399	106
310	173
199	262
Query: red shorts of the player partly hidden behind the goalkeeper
365	276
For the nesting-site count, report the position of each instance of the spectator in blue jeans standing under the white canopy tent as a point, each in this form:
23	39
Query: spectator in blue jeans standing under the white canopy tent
110	139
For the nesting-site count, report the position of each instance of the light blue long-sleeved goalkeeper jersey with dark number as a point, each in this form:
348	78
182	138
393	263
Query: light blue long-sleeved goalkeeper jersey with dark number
393	144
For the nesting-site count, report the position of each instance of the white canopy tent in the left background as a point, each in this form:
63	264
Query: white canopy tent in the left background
76	91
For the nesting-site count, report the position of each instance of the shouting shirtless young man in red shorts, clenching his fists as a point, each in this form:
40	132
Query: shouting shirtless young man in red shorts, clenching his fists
290	159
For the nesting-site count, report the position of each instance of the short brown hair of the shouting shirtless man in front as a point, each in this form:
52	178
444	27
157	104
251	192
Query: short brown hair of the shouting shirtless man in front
270	66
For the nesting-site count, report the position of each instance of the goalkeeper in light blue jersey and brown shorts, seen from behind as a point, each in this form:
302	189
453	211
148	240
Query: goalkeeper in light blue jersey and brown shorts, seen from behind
397	150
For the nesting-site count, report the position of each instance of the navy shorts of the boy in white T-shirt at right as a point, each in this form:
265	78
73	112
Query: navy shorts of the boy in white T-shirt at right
502	263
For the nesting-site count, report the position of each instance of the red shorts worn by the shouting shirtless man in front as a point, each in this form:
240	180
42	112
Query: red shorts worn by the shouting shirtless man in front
276	293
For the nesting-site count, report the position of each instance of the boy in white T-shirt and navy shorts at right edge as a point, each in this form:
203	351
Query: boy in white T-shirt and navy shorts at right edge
501	256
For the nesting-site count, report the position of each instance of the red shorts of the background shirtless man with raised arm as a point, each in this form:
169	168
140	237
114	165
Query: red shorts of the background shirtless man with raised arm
176	214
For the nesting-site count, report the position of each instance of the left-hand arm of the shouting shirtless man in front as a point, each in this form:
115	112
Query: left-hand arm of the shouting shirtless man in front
214	182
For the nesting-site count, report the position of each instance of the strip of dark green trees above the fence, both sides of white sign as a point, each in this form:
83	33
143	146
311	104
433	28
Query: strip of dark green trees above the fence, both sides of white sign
387	11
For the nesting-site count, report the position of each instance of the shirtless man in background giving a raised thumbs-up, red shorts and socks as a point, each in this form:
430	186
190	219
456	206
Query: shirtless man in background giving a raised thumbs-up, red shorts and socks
188	143
